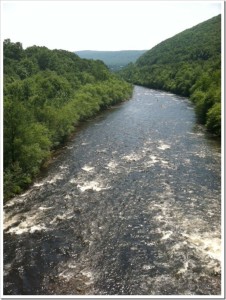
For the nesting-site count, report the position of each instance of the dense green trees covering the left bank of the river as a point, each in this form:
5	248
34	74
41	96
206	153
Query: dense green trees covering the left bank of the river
46	93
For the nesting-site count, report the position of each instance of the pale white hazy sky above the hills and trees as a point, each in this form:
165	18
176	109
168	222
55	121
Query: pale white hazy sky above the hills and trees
100	25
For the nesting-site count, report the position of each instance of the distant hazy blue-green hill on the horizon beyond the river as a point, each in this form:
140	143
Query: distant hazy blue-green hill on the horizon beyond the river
115	60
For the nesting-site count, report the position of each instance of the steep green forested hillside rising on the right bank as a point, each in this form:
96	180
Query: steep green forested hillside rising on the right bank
188	64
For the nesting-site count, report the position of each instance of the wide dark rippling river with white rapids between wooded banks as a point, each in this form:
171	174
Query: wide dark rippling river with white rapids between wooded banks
131	206
